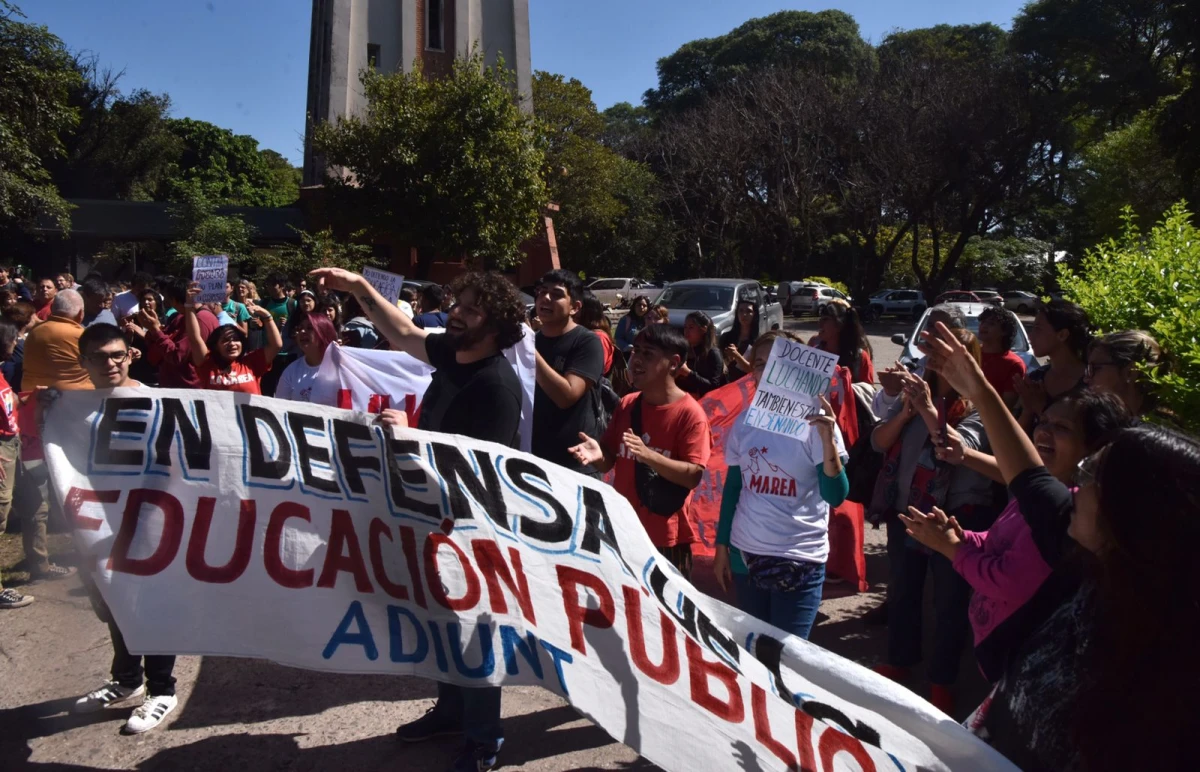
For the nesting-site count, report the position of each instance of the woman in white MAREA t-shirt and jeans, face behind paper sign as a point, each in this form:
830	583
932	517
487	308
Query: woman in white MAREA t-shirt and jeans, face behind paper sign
776	512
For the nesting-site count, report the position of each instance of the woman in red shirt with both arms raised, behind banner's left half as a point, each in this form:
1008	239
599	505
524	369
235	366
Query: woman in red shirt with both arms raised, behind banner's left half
223	362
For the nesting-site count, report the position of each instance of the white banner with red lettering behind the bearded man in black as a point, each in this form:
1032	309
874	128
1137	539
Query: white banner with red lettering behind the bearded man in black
374	381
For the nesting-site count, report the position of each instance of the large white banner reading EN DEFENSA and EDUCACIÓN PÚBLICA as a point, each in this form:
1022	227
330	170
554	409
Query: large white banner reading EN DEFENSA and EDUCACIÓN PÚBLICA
236	525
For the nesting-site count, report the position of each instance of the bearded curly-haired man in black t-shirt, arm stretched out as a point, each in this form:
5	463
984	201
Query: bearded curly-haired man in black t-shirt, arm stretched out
475	393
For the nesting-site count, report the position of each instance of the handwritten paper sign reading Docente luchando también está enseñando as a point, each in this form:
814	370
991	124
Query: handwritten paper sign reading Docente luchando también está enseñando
793	384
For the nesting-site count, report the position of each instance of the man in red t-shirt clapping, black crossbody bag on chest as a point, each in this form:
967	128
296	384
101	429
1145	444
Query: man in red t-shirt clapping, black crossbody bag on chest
658	441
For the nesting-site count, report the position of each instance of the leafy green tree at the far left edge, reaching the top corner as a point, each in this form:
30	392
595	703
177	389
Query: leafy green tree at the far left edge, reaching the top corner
37	79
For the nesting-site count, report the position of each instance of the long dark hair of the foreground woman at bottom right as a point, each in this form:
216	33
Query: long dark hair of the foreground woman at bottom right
1148	618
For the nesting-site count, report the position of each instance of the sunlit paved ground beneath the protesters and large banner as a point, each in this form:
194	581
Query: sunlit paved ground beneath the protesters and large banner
250	715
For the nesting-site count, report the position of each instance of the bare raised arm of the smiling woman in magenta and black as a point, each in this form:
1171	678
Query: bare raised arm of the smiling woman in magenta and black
949	357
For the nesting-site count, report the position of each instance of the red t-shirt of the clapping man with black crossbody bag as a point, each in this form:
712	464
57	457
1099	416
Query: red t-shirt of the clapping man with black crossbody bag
679	432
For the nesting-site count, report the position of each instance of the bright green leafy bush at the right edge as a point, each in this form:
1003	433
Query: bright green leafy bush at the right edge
1151	283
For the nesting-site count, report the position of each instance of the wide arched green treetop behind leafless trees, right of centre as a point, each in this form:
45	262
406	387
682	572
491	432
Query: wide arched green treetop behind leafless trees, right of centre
827	43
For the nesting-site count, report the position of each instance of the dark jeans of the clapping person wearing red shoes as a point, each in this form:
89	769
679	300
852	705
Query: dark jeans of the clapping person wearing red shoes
907	596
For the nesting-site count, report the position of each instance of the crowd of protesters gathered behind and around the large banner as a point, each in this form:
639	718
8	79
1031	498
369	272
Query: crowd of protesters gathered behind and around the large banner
1055	510
